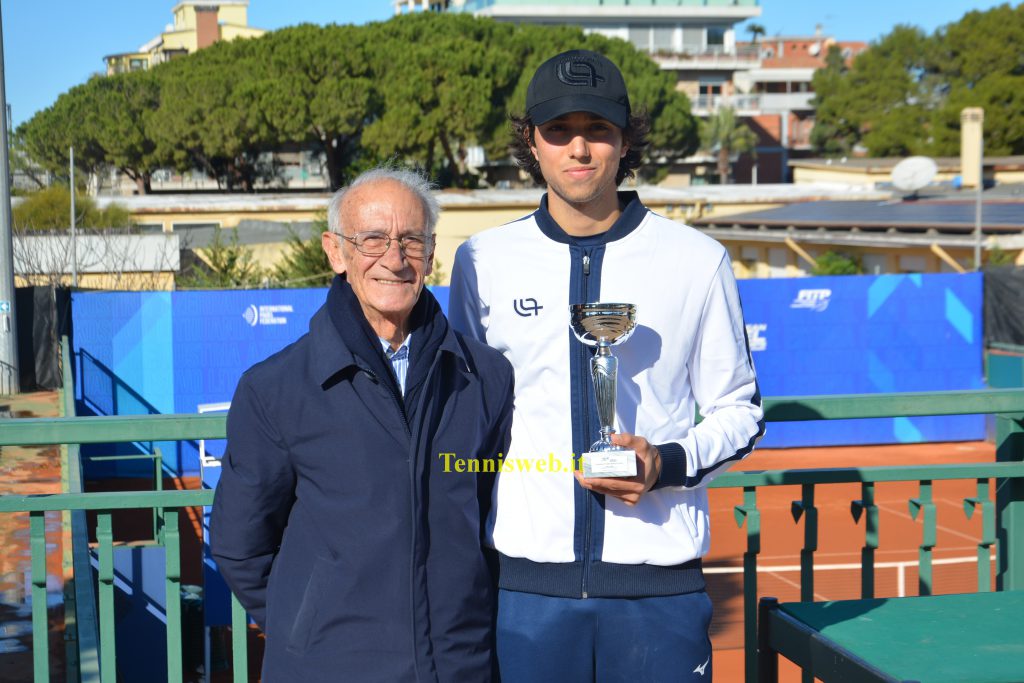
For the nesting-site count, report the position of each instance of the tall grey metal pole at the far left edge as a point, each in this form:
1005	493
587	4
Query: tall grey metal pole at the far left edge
10	381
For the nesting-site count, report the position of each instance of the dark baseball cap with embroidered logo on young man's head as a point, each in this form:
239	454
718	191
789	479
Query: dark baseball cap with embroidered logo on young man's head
578	81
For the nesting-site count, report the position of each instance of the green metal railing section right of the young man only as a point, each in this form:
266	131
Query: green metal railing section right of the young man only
999	519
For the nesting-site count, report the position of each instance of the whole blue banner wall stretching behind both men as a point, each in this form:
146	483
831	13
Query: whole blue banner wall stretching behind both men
185	352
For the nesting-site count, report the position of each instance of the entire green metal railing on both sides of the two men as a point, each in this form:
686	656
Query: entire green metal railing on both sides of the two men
1003	520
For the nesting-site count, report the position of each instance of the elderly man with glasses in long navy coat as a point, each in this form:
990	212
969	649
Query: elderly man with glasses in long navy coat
336	522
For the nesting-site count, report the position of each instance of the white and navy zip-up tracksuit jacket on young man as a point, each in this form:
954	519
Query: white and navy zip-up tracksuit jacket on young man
511	288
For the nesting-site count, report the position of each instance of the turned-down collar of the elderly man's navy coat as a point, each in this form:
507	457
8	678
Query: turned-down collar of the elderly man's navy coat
349	340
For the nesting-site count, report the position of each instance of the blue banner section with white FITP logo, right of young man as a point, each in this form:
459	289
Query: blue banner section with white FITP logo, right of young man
867	335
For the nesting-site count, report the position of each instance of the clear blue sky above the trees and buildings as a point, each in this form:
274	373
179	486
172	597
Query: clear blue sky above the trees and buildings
53	46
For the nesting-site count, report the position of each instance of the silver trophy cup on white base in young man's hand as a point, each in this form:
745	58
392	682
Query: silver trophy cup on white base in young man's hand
605	325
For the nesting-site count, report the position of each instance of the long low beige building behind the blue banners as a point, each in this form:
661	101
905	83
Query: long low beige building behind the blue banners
771	231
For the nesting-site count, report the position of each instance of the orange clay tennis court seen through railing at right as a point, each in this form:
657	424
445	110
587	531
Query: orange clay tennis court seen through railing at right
840	539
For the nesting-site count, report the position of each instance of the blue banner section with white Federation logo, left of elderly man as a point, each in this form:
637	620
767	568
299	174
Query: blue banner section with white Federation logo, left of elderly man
148	353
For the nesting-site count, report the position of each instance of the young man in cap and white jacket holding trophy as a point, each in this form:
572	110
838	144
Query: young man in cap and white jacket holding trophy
601	579
